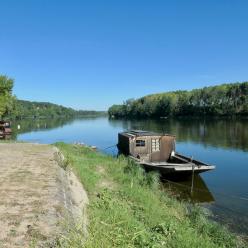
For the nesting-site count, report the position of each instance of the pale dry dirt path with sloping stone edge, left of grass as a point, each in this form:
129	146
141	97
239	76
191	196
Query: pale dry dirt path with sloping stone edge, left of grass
35	195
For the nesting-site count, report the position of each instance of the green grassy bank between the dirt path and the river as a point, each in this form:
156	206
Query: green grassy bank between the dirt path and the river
127	209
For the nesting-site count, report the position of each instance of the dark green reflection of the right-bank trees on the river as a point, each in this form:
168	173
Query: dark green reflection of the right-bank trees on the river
225	133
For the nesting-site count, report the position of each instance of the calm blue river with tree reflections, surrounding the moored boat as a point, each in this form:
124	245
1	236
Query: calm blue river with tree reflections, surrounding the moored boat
223	143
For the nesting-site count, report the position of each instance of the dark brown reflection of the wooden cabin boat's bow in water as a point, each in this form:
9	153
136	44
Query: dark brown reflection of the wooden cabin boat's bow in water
198	193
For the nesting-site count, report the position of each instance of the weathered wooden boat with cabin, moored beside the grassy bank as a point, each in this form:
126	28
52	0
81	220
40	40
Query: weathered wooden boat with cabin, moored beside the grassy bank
156	152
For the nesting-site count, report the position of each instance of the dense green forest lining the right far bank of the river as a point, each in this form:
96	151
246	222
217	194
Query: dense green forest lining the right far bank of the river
221	100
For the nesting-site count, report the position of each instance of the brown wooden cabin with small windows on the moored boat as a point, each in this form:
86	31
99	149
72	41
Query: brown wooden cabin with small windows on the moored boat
146	146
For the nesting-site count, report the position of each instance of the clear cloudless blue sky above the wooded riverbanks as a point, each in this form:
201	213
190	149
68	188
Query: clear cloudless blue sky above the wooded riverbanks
91	54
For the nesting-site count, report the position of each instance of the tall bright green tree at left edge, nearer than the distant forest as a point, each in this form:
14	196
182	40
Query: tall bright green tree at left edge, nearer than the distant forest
6	98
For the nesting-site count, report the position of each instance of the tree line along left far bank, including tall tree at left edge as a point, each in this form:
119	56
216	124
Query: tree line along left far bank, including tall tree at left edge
10	107
